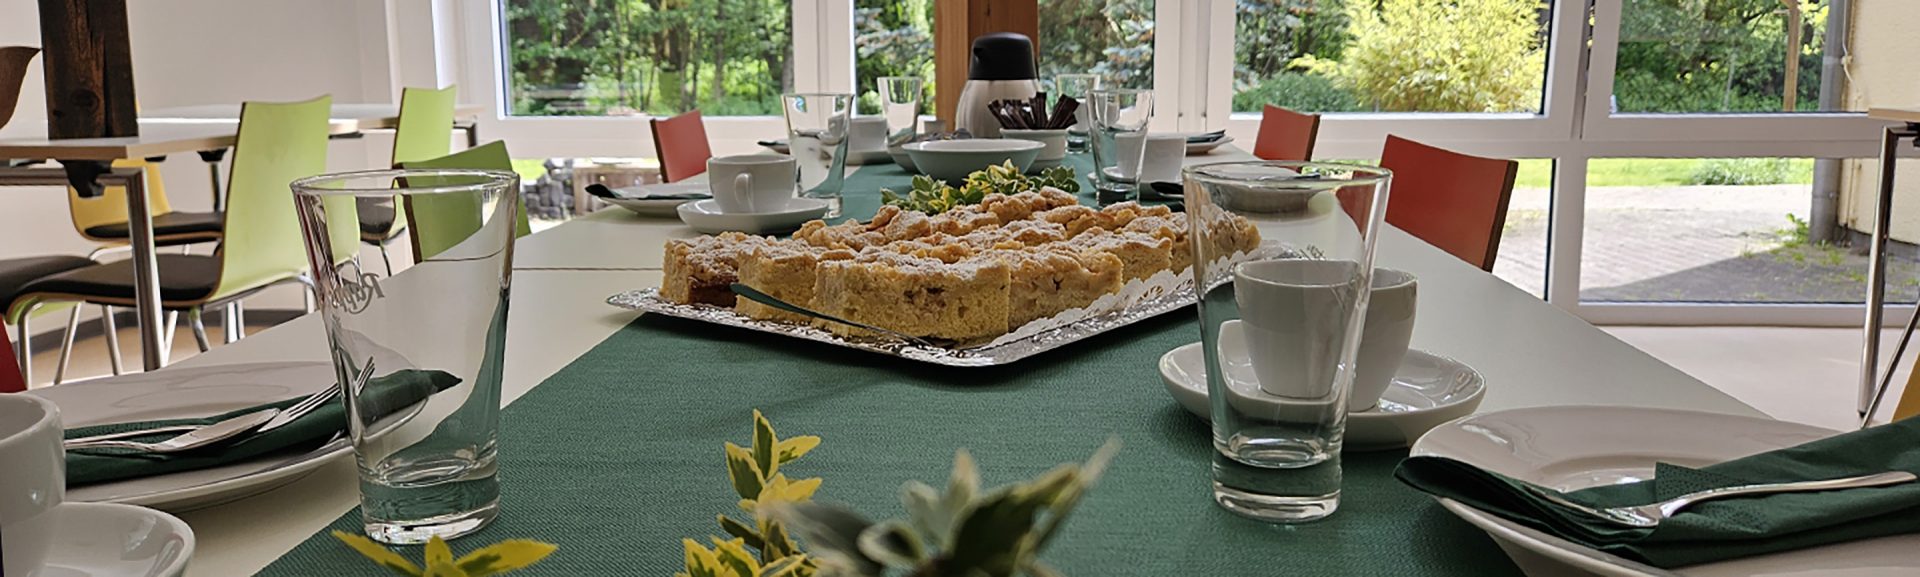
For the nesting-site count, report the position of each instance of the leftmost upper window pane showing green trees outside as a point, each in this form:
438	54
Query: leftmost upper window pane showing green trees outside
658	58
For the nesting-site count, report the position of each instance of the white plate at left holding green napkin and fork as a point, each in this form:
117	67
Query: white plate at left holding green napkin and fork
193	392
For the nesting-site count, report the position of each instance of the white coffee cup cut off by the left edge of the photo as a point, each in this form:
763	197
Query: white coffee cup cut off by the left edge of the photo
34	480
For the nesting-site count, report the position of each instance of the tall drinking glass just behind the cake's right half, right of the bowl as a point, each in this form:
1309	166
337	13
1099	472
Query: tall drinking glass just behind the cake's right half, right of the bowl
1118	129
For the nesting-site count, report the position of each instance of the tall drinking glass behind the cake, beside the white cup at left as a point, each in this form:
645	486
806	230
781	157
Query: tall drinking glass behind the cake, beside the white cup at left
817	137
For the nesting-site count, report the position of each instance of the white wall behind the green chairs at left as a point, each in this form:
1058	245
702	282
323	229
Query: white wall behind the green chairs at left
214	53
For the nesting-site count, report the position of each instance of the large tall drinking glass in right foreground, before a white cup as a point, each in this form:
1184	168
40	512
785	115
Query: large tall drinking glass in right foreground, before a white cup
1284	258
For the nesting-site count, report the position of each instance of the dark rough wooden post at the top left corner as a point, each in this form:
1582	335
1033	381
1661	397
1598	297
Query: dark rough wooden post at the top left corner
89	70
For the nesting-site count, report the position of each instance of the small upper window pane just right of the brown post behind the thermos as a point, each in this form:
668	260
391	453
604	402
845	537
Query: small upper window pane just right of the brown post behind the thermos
1113	39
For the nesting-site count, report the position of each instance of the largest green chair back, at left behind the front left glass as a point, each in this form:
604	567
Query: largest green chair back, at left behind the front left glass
277	145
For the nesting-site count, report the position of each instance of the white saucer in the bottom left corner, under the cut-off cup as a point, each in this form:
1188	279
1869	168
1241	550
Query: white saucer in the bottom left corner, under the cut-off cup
97	540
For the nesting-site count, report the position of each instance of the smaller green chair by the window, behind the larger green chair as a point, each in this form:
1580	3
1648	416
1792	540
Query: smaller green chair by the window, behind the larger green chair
423	133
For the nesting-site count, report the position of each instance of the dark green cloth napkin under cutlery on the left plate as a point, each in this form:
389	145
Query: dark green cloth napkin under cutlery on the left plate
385	396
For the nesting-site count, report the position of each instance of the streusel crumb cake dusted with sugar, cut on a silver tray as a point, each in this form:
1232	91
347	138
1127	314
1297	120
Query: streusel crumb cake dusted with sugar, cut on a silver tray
967	275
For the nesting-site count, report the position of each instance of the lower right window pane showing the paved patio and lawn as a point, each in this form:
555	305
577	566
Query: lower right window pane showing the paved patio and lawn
1716	231
